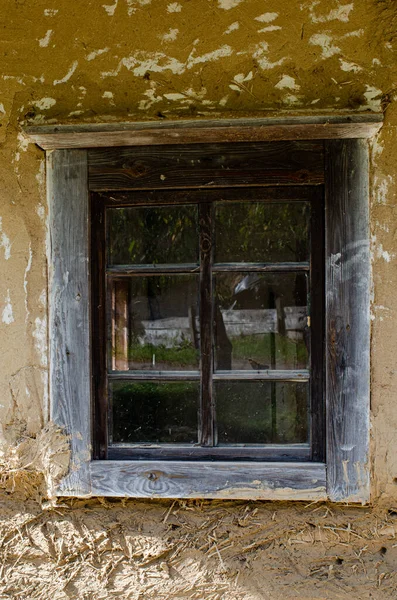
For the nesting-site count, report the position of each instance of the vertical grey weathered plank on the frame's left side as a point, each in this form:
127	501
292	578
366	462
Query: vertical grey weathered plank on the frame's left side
69	328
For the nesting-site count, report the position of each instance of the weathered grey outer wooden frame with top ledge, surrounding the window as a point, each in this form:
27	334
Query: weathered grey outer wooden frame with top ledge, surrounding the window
345	477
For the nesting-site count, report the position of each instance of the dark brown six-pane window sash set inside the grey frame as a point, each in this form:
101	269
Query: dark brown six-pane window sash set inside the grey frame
205	345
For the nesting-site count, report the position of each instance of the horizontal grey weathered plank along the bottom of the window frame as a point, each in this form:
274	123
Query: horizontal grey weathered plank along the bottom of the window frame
187	479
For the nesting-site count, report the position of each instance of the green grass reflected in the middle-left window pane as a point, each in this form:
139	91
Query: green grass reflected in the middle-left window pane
180	355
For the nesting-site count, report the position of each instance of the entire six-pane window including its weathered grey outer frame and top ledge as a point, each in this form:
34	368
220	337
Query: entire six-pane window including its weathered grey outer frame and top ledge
321	451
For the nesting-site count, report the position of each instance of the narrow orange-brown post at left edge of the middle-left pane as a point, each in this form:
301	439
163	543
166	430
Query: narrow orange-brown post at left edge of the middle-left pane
120	325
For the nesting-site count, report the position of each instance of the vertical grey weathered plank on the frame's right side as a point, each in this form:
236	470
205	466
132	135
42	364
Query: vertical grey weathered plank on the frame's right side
348	320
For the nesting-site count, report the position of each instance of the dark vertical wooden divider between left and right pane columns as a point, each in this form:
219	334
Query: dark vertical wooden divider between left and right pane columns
207	409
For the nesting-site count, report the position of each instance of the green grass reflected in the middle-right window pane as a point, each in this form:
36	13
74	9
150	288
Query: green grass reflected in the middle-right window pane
258	348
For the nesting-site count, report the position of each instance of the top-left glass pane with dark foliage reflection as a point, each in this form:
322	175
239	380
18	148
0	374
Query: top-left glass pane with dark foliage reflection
152	235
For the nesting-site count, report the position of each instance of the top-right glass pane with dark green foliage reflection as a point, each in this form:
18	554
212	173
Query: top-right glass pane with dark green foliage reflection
262	232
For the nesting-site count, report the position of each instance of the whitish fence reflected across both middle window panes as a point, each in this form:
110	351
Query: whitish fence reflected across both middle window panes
173	331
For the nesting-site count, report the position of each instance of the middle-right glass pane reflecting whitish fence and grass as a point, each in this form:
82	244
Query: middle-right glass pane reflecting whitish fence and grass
261	321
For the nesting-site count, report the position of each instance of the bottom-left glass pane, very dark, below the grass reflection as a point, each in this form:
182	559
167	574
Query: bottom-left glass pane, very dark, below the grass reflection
154	412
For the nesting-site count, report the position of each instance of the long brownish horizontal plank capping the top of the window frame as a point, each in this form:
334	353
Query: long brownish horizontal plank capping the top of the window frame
201	131
